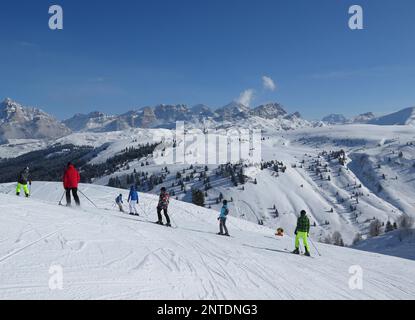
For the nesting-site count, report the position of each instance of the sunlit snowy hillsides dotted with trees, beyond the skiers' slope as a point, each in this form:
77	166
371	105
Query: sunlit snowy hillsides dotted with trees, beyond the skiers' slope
380	168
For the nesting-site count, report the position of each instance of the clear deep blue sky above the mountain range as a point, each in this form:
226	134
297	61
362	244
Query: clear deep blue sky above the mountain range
114	56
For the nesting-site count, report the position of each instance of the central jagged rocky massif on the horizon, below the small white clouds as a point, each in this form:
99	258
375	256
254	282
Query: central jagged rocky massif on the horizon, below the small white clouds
200	116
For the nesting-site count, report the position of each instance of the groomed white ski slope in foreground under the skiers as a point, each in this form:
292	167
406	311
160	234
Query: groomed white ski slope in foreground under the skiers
108	255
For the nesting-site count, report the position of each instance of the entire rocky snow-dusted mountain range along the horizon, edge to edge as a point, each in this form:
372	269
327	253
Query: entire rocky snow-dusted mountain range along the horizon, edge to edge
20	122
